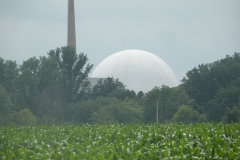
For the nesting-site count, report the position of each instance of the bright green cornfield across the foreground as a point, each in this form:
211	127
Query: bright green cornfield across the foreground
119	141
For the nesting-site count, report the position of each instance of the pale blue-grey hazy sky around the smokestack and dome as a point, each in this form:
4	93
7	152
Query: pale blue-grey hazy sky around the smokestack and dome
184	33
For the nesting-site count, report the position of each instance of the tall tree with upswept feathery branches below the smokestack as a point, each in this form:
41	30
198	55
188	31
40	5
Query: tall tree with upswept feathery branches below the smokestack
74	70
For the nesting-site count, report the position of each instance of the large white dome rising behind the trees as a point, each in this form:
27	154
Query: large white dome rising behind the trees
138	70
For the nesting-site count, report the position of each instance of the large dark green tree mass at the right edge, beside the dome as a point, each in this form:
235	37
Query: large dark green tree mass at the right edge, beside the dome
215	86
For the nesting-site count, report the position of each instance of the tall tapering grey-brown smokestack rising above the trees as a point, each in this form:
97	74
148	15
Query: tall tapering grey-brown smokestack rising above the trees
71	25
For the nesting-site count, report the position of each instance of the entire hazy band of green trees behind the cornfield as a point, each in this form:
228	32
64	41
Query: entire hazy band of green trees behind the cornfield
53	89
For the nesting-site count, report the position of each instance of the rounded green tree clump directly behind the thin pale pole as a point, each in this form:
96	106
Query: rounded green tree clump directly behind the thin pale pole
169	99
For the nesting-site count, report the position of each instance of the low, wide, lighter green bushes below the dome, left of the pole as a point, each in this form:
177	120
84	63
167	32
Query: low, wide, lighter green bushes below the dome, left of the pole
105	110
